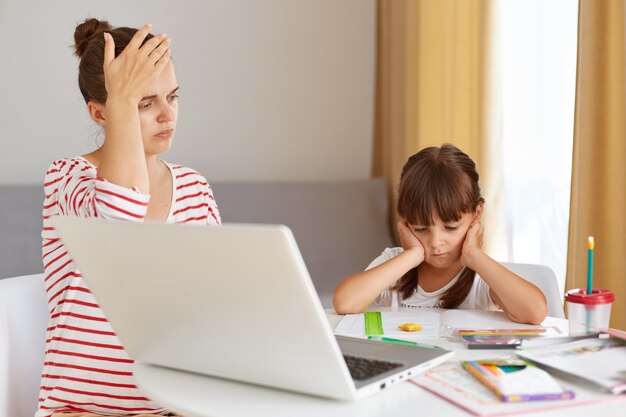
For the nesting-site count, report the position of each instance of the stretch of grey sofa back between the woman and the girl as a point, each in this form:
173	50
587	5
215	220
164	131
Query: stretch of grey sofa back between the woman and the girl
339	226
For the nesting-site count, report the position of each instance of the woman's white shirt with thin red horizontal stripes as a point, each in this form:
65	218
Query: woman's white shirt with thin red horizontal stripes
86	369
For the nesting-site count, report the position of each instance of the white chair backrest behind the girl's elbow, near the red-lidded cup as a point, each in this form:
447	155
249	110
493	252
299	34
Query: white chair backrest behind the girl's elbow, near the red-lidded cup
544	278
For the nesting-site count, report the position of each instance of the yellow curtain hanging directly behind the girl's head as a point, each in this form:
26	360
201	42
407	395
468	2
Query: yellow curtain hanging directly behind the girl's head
435	84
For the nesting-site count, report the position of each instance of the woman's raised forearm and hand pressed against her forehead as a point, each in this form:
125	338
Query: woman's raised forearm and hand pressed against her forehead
127	78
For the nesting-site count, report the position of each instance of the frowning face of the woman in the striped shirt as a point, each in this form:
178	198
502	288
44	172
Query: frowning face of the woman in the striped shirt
158	112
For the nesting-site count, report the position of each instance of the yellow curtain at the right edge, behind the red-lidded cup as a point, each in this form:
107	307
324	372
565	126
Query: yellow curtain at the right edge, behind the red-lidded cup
598	198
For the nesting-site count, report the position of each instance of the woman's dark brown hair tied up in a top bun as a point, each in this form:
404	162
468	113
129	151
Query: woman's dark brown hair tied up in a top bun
89	47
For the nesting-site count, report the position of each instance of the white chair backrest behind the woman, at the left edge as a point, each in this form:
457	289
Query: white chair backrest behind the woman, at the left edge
23	323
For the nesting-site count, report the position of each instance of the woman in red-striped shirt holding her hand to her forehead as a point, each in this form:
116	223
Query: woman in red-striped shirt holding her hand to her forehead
128	82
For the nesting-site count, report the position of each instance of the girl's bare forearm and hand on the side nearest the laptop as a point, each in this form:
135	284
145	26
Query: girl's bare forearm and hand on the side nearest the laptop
355	293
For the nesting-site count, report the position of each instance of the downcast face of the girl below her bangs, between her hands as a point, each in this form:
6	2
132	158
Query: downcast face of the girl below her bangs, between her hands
443	242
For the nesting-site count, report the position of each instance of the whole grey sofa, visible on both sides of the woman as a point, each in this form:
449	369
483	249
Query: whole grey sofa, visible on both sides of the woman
340	226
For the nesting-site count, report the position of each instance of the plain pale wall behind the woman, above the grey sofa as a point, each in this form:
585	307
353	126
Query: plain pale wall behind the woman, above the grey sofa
270	89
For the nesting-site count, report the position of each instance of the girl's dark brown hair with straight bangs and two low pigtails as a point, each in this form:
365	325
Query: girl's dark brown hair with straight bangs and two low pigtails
442	180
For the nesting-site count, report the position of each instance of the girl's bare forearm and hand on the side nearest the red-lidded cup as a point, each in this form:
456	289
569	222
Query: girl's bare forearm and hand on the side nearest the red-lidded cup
522	301
